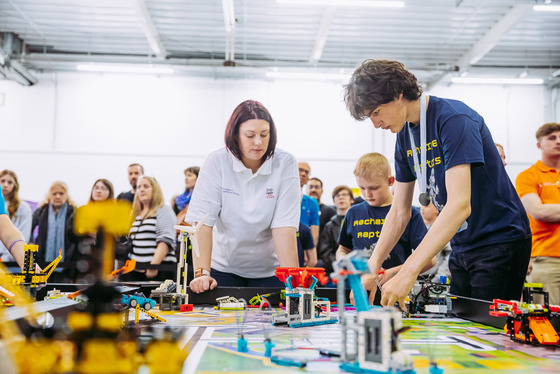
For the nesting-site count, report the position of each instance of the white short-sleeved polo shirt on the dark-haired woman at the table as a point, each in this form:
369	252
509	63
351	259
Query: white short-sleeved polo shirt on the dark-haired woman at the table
243	208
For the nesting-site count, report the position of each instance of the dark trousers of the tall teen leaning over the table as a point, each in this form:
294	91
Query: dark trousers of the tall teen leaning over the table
495	271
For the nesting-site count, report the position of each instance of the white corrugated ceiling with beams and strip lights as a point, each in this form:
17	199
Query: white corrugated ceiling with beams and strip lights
436	39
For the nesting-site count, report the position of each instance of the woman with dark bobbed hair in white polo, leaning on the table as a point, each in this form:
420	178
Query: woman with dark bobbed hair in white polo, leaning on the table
251	193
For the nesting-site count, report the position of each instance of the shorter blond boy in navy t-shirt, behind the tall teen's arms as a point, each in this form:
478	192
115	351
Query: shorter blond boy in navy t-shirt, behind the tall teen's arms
363	222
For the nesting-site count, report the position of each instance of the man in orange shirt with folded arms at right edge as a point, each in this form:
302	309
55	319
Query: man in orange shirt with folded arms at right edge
539	190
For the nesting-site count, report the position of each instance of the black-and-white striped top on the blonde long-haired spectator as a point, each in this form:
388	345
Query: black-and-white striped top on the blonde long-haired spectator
147	233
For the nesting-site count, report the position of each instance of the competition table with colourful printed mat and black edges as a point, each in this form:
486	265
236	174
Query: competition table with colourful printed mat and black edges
457	345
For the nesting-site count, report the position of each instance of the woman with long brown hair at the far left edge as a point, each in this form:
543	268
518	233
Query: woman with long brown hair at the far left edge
18	211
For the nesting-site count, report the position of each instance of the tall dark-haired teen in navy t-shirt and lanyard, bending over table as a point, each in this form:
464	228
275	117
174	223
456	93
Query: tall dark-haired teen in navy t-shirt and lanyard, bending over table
480	212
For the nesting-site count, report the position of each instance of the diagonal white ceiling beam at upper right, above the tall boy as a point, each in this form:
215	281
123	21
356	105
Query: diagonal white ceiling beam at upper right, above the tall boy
493	36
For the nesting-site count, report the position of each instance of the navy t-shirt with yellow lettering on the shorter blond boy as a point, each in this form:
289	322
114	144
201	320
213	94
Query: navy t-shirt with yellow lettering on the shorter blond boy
362	225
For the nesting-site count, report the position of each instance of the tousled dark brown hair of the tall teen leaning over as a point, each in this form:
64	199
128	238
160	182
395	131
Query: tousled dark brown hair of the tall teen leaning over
378	82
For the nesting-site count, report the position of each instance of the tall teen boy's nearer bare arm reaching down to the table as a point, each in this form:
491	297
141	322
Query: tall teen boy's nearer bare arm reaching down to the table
456	211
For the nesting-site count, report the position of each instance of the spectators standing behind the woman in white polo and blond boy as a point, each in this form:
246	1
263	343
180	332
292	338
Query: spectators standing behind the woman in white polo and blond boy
153	237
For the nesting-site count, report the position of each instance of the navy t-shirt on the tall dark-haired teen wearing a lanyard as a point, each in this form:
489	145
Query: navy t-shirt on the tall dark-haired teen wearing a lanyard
455	135
